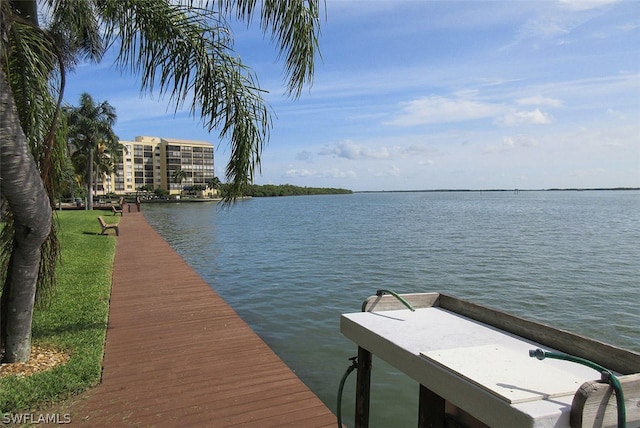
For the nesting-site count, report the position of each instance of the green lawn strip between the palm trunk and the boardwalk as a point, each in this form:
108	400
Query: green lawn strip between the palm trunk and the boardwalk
75	319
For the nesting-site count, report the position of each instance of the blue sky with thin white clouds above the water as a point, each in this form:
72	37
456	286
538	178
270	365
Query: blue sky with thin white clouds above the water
418	95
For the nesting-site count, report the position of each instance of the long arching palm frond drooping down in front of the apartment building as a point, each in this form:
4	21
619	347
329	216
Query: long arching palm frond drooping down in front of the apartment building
186	52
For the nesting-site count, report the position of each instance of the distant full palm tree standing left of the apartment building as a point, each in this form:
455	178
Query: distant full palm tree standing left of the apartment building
90	128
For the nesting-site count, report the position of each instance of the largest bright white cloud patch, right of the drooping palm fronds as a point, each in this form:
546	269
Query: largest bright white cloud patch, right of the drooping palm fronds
437	109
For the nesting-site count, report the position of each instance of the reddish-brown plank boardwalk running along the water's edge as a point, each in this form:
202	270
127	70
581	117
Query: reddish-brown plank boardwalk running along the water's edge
178	355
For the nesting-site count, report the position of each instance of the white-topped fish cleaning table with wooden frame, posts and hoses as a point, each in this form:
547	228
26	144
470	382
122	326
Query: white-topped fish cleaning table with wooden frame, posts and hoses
474	361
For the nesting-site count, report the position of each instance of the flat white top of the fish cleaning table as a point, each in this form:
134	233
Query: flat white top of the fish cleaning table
483	370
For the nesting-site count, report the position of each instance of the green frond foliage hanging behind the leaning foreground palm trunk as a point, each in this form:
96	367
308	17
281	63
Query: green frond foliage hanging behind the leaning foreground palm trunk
30	63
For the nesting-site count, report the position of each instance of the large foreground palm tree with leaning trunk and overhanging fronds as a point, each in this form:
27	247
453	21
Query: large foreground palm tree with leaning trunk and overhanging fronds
182	48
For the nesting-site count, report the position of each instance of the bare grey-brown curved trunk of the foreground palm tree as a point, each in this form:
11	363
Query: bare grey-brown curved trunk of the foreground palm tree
24	191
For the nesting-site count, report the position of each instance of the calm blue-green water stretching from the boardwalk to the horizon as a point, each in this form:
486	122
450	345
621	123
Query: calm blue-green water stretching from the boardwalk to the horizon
291	266
